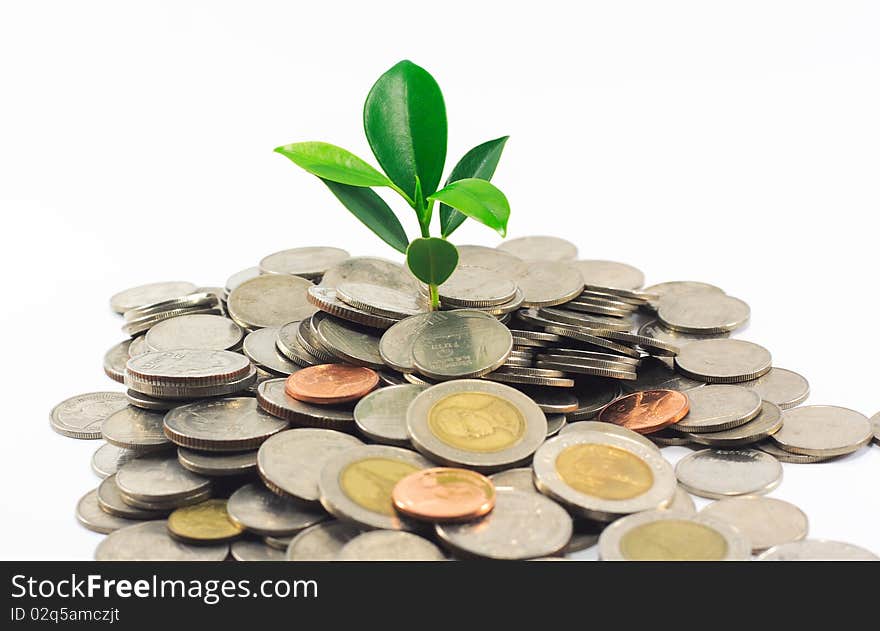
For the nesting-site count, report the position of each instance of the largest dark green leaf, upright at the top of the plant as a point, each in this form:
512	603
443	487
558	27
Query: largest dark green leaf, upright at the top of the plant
405	124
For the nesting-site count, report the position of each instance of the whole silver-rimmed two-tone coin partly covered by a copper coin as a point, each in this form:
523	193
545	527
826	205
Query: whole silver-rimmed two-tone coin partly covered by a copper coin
356	484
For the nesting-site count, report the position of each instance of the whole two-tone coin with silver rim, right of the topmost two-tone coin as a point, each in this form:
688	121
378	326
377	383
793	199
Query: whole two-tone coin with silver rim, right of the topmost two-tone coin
602	476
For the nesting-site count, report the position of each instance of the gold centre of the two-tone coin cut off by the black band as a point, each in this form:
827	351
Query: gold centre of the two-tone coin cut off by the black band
673	540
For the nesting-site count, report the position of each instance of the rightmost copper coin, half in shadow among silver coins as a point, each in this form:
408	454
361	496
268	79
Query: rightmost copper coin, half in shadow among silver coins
647	411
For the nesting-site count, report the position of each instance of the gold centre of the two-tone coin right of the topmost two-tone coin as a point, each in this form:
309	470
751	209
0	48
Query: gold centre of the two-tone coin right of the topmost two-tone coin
604	471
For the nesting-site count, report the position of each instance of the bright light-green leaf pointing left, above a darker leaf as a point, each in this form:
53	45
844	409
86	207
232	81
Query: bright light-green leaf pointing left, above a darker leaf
333	163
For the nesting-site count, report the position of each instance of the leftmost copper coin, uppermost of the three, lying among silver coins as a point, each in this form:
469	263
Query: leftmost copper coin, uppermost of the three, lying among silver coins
331	383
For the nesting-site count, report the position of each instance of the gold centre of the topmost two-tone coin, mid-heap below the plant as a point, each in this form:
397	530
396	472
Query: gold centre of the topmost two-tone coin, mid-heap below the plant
477	421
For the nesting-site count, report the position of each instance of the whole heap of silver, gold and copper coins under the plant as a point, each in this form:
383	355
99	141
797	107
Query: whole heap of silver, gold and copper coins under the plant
315	408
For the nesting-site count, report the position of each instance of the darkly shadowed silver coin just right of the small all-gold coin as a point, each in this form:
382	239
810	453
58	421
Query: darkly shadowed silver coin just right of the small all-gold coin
262	512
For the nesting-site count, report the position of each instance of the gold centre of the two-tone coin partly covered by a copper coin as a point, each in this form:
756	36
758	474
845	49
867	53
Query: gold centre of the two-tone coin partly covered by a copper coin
369	482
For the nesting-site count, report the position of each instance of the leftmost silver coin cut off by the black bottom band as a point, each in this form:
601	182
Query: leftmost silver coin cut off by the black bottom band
150	541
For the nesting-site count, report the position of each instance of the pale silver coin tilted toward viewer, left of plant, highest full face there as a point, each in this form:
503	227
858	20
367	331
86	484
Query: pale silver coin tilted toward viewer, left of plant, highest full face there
270	300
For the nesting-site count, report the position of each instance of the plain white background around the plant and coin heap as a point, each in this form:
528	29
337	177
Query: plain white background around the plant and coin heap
732	142
